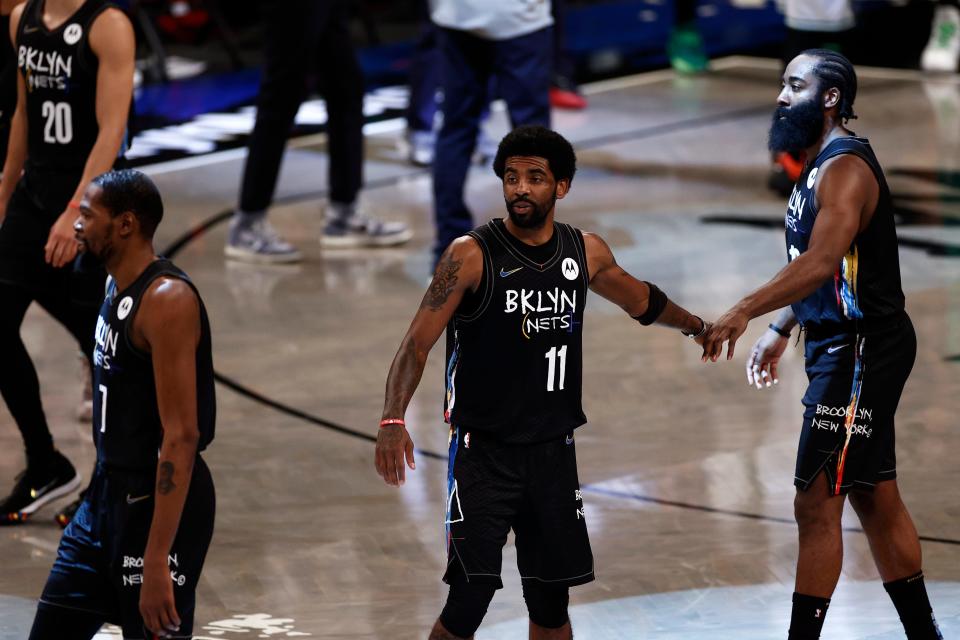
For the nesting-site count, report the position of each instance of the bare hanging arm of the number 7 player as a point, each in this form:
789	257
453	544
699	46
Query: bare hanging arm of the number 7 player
169	322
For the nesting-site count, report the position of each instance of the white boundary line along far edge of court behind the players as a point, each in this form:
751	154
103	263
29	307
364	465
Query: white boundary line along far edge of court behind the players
395	125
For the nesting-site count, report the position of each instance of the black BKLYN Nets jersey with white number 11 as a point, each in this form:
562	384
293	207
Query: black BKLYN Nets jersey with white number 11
515	354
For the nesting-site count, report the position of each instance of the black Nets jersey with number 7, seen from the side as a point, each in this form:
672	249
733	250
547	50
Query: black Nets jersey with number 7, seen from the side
126	419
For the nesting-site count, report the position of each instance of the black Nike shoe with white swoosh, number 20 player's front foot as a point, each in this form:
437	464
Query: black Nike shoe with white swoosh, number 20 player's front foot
36	486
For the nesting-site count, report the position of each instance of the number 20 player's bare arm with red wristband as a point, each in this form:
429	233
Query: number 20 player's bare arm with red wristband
112	40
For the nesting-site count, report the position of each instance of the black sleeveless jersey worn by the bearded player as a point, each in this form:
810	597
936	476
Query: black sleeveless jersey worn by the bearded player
866	284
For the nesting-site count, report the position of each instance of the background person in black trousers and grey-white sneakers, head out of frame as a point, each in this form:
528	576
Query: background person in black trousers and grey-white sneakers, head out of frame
300	37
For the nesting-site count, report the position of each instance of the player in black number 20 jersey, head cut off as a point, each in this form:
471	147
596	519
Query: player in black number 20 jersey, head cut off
75	85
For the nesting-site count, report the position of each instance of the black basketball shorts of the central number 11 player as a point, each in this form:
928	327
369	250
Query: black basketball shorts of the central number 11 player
533	489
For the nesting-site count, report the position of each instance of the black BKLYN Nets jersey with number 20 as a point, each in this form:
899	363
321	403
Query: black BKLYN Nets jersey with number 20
60	72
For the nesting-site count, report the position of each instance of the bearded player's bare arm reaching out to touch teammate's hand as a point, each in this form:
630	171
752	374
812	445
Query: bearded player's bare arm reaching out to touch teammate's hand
847	192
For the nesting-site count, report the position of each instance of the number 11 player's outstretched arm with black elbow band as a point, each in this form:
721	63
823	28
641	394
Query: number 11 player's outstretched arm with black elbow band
608	279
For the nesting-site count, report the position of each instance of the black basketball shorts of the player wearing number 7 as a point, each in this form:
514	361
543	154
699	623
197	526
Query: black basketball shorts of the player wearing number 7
99	565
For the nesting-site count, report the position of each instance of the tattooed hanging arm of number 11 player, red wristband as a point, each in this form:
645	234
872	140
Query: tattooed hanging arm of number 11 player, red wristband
459	270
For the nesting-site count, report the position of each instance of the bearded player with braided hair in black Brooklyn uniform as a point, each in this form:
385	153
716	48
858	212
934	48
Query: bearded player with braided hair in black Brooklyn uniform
842	285
